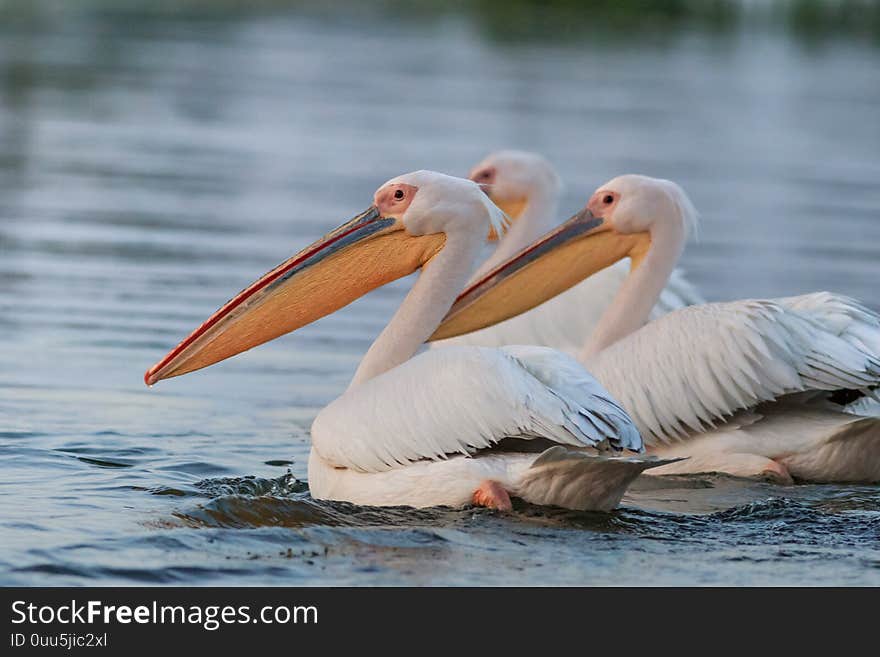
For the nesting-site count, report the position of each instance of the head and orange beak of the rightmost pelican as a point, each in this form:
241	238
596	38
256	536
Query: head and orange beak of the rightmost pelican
620	220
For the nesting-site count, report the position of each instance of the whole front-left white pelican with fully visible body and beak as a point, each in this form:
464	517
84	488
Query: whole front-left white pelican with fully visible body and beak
446	427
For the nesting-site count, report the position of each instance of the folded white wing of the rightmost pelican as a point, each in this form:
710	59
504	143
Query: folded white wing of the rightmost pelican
692	368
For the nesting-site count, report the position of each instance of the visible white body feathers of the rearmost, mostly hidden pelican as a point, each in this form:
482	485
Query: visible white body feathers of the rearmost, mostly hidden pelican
565	321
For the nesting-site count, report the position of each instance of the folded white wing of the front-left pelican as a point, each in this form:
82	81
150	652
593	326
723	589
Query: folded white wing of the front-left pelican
462	399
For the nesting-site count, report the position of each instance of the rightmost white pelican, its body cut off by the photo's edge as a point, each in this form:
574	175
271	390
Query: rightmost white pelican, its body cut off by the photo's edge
750	388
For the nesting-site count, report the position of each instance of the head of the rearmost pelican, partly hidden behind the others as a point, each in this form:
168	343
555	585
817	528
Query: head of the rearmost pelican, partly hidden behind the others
512	179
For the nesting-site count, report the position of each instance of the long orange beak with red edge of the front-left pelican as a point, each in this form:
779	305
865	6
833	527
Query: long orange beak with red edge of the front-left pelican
362	254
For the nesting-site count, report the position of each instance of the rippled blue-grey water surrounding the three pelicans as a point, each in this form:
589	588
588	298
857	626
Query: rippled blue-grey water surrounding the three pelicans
155	158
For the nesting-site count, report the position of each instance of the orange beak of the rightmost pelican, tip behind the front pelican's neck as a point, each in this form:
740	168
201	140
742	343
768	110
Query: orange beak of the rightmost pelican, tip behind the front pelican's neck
557	261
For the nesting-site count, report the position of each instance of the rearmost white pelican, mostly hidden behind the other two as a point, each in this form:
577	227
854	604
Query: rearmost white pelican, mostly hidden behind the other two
527	188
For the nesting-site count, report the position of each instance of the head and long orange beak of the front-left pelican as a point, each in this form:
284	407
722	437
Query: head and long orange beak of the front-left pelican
406	226
